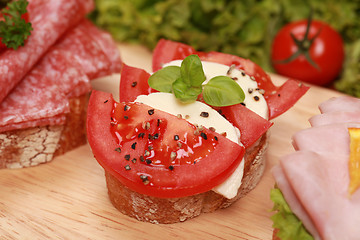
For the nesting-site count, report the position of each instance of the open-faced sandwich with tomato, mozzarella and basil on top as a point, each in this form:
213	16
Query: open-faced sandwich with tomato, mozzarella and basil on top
191	137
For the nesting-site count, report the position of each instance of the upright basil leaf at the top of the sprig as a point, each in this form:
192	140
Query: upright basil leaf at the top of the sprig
192	72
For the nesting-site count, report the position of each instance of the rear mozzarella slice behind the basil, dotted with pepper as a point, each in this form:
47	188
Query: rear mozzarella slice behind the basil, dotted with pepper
254	100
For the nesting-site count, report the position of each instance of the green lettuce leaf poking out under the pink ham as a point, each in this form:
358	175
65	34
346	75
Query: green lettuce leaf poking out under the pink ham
290	227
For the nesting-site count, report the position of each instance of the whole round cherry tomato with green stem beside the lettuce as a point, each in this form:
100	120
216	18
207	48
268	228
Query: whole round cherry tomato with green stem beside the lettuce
311	51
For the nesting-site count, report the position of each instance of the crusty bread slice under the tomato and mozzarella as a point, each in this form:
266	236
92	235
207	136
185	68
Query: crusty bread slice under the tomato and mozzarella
171	210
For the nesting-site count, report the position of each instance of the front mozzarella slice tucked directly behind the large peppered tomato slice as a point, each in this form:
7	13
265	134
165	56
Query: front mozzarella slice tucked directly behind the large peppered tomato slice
192	113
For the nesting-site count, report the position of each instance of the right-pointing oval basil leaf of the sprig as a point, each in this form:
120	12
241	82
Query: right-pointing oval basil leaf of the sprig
222	91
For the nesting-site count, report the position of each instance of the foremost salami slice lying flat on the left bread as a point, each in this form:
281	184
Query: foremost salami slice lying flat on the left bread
42	97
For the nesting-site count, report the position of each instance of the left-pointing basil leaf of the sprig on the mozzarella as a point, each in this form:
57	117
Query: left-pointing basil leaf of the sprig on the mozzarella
163	79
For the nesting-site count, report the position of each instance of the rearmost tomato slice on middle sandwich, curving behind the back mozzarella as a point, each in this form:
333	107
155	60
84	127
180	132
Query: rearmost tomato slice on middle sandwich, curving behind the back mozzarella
283	103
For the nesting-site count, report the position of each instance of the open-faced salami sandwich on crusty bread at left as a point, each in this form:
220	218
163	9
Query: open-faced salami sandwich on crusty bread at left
45	82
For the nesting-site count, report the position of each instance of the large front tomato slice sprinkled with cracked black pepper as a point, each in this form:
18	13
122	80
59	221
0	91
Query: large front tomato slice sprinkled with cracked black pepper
155	153
